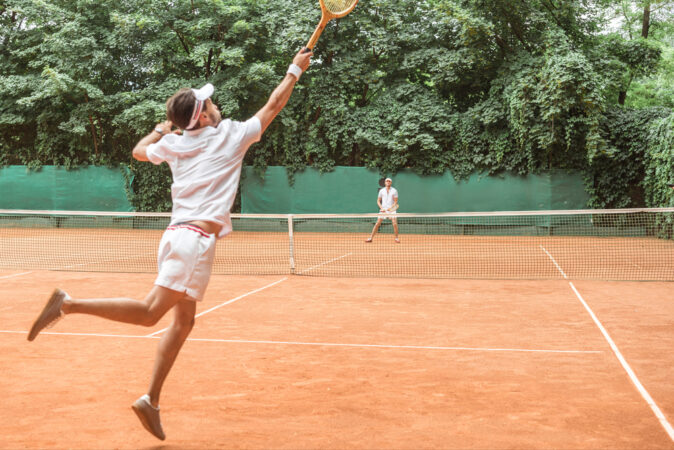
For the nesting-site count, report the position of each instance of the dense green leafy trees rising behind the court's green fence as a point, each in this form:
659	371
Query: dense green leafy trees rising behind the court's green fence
432	85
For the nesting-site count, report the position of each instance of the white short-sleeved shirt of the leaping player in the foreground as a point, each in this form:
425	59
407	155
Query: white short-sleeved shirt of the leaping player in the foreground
206	167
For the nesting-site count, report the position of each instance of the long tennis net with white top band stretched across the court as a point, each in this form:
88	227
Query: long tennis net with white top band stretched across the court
597	244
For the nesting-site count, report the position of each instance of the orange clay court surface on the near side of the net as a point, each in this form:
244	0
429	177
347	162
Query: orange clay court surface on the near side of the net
299	362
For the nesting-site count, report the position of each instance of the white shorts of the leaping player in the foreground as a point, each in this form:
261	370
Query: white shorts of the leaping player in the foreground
185	259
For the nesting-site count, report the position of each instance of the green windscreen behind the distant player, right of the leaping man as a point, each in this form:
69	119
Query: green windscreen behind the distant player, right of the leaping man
352	190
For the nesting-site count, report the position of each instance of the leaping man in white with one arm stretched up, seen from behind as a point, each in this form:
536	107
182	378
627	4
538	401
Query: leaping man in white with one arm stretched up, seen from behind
206	164
